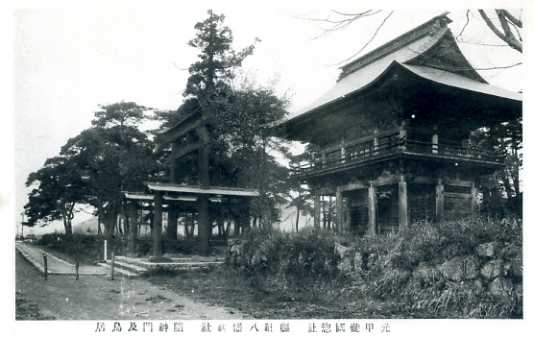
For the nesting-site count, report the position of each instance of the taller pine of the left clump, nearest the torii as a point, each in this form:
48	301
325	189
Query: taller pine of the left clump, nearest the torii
115	156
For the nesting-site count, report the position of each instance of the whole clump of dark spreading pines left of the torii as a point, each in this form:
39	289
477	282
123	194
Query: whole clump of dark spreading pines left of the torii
94	167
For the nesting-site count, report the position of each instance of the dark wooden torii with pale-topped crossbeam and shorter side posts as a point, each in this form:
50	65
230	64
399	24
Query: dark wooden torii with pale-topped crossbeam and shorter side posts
237	198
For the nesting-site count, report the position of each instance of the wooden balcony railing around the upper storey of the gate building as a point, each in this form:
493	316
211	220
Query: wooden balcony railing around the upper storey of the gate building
383	146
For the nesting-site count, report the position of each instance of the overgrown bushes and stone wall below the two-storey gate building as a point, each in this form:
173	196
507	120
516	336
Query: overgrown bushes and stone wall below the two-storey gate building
470	268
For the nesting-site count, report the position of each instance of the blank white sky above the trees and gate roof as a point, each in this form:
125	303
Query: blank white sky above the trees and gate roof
69	60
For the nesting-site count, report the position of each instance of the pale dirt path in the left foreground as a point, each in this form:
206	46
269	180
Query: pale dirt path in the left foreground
98	298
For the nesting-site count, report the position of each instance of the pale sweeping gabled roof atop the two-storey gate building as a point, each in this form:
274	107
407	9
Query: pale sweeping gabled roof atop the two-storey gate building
415	51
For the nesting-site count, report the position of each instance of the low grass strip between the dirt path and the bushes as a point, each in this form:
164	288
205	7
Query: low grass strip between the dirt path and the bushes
222	286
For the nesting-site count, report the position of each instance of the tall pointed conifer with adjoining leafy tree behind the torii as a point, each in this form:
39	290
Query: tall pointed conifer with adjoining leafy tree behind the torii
237	120
